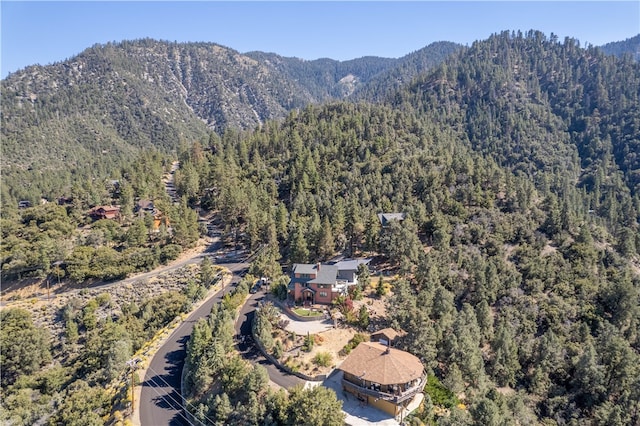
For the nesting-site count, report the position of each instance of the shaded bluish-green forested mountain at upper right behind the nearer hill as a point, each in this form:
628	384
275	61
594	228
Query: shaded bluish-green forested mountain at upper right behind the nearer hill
534	103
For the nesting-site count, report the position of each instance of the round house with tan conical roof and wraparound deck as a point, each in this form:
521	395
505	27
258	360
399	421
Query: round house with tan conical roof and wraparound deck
382	376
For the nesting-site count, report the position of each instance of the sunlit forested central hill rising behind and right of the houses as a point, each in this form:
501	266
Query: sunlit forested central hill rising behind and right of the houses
511	300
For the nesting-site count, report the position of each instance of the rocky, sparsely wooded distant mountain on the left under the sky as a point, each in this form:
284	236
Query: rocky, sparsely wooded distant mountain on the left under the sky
111	100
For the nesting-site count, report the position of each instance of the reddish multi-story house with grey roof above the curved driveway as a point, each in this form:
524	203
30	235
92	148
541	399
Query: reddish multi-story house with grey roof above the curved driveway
322	283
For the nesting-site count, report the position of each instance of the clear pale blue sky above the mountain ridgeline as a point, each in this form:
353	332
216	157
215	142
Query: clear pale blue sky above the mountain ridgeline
46	32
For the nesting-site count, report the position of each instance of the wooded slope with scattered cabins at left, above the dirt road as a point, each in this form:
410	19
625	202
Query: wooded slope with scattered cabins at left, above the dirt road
61	240
